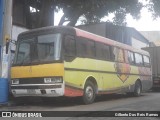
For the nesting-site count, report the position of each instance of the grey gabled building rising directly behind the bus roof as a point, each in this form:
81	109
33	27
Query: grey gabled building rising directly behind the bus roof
122	34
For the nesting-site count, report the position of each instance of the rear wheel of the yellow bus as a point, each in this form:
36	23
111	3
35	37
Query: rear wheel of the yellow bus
137	89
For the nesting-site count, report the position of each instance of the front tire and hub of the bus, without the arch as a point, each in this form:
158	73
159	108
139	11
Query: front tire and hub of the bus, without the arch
89	93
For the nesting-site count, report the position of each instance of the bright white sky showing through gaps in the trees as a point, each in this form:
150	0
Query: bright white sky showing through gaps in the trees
145	23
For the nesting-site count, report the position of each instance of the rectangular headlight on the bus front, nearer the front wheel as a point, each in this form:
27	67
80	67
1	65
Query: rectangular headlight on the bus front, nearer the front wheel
53	80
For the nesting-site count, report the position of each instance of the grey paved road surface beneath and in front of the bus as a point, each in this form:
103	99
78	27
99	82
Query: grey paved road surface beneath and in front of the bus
146	102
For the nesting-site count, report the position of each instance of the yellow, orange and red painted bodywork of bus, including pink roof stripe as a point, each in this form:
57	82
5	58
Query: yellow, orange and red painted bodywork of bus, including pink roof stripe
107	76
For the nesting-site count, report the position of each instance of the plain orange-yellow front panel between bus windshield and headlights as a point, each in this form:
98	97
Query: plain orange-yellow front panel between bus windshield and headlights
44	70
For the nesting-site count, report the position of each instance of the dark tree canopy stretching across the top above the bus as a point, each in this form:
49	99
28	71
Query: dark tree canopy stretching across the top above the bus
92	11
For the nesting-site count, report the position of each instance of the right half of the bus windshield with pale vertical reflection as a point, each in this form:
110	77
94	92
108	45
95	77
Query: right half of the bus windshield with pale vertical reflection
48	47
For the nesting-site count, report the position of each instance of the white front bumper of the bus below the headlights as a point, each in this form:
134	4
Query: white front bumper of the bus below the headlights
47	90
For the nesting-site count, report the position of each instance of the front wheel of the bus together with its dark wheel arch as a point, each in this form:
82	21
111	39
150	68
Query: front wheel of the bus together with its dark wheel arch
90	90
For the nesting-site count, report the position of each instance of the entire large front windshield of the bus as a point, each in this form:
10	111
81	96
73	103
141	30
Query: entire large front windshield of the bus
39	49
